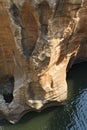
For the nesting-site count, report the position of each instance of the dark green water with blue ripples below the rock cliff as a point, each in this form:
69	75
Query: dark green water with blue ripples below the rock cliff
73	116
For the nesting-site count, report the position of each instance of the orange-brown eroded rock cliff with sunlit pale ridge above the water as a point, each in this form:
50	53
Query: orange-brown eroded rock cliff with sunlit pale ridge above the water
39	42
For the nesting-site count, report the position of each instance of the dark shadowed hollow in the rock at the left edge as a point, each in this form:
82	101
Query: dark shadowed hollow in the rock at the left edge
6	88
